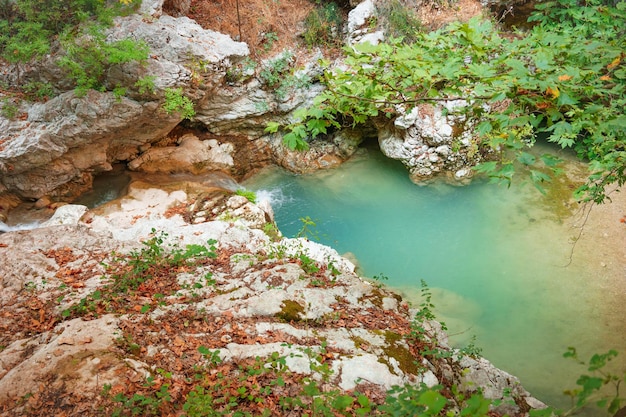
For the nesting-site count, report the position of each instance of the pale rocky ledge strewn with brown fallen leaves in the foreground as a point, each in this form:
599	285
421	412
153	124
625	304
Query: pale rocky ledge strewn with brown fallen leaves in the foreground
169	301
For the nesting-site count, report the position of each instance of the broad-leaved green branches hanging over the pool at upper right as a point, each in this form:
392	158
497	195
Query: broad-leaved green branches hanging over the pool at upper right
566	78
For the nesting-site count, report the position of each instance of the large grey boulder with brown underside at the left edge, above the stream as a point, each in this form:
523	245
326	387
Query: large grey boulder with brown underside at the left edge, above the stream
70	137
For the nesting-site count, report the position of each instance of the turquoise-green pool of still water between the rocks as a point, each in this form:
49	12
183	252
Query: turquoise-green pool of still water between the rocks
493	257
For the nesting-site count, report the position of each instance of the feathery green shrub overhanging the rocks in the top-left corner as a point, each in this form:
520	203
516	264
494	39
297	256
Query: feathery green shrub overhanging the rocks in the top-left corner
32	28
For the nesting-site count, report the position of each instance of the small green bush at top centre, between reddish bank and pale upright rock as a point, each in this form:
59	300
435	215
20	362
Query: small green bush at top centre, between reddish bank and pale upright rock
323	25
